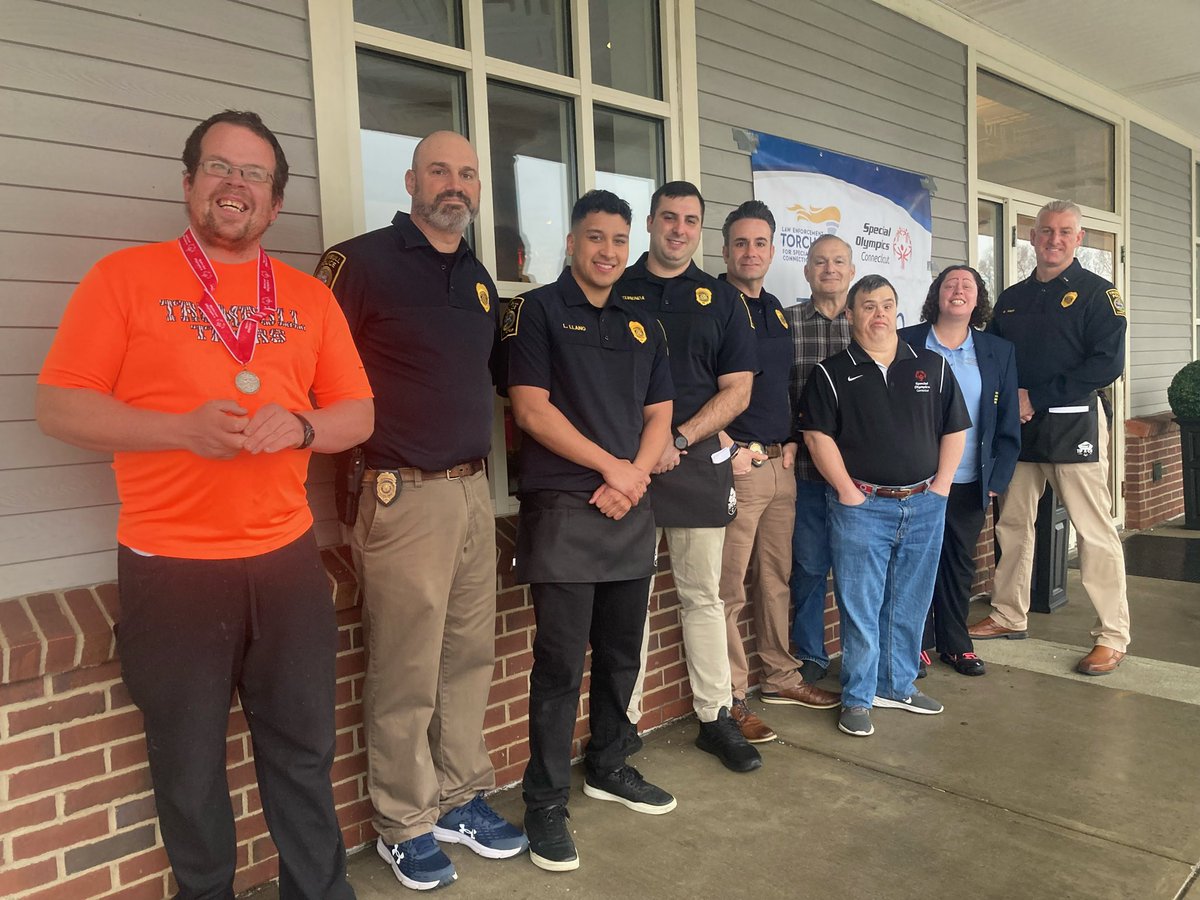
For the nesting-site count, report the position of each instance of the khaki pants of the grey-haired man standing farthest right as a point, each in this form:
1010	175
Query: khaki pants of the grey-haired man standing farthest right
1084	490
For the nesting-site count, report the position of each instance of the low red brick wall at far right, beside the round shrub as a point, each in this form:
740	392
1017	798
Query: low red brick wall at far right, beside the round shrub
1149	501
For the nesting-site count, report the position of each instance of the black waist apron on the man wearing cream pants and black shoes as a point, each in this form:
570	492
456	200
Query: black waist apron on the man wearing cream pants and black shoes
698	494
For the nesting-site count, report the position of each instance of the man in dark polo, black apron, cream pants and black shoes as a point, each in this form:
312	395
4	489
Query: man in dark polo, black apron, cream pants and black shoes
713	362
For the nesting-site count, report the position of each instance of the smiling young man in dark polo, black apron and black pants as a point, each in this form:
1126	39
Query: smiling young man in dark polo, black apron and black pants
591	388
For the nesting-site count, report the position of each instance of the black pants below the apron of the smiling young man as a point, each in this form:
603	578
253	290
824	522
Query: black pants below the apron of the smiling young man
610	616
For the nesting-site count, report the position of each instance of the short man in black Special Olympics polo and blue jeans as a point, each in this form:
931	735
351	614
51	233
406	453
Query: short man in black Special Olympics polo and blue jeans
885	424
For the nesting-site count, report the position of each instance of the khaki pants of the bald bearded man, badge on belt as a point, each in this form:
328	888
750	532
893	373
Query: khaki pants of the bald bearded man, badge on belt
428	565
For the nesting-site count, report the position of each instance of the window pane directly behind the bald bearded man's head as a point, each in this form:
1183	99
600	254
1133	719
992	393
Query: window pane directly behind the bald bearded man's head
400	103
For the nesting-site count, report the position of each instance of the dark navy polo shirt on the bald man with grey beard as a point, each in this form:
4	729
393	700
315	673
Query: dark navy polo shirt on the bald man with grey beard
427	326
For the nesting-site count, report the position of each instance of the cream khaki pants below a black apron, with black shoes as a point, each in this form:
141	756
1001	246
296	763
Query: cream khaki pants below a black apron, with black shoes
697	567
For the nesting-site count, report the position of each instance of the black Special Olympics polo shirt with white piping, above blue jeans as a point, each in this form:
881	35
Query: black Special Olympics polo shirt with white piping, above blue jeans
889	431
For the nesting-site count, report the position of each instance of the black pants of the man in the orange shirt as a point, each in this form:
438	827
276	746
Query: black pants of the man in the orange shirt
191	632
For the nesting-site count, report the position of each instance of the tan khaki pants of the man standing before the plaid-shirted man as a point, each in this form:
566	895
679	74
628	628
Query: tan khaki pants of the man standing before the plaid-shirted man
763	535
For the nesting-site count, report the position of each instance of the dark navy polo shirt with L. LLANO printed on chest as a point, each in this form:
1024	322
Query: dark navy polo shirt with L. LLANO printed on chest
602	365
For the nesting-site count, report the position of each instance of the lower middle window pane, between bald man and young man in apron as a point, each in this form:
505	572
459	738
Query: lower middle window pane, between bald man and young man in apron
533	182
